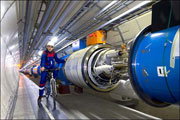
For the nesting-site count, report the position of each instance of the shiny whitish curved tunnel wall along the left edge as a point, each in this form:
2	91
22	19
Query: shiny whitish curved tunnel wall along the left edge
9	58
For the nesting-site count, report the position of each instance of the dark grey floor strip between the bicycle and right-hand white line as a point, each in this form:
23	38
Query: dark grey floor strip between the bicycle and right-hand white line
85	106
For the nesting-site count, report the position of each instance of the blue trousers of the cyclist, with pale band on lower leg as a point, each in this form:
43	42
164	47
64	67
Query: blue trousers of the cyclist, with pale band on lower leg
43	81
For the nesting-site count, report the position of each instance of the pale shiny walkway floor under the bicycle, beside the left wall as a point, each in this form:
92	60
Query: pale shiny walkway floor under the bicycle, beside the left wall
27	107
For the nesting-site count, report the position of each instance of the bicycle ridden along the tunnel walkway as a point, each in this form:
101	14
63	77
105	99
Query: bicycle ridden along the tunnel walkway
53	90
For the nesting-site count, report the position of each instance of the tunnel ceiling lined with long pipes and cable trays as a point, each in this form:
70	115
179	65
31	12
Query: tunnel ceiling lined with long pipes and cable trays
39	21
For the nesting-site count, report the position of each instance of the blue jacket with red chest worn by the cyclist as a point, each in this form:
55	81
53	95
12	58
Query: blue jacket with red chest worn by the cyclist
48	59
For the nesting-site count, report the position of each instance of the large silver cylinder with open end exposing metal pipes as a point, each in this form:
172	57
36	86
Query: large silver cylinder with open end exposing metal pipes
89	68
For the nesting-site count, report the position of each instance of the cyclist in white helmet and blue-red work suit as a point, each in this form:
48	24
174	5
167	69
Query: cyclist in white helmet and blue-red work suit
48	59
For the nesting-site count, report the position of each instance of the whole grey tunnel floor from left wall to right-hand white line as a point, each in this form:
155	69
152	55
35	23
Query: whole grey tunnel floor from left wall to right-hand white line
69	106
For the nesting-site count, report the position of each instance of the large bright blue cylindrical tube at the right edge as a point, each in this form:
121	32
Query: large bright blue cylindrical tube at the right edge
154	66
